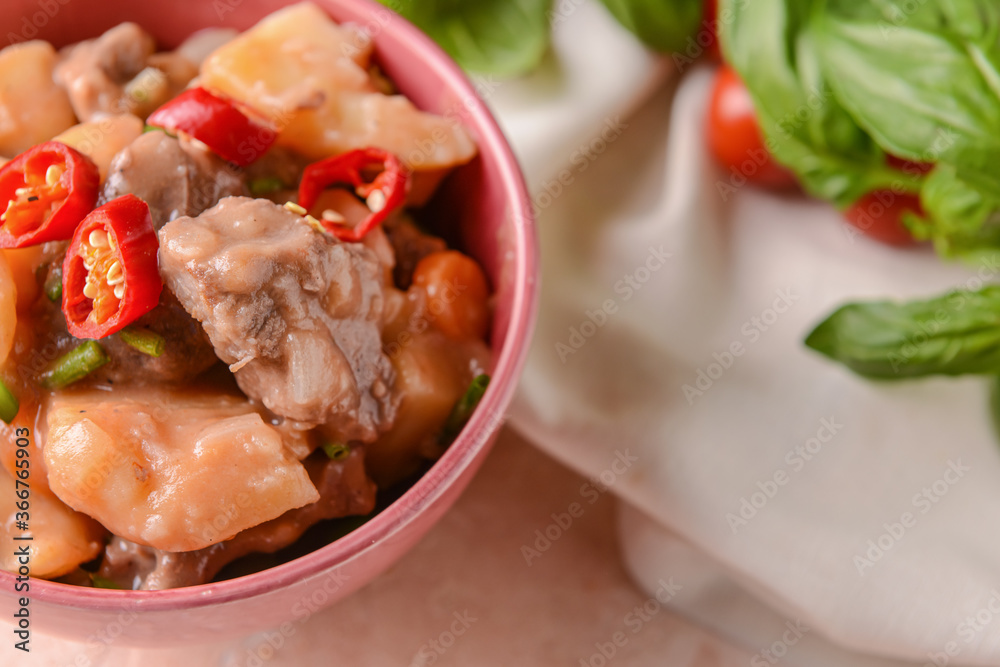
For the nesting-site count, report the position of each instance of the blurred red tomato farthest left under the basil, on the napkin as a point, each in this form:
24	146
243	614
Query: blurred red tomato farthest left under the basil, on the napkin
734	136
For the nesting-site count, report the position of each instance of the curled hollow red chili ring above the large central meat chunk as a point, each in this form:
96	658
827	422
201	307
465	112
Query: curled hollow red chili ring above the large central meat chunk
384	193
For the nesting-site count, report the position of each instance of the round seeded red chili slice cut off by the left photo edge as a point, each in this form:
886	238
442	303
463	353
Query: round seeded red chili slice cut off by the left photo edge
45	191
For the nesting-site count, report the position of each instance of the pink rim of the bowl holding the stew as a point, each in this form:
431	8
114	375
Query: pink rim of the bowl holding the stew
476	435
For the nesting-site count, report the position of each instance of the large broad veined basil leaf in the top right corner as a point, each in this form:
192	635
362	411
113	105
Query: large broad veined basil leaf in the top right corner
922	79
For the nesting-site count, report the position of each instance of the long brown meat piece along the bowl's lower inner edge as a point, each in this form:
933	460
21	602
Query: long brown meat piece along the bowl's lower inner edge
344	488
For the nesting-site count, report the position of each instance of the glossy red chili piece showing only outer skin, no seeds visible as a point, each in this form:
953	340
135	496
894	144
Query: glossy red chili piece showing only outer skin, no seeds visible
216	122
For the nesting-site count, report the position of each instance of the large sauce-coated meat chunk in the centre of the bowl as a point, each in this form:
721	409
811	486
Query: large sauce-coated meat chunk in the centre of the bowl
297	314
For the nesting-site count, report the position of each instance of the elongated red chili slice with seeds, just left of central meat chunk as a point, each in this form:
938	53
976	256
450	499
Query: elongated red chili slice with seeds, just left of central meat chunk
111	273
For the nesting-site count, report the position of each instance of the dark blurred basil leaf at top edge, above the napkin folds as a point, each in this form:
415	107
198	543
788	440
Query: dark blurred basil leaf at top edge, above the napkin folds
662	25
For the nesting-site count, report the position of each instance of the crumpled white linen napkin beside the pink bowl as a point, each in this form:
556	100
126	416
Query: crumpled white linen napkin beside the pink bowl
817	517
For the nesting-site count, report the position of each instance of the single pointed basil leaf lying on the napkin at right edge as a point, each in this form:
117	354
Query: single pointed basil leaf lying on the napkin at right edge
956	334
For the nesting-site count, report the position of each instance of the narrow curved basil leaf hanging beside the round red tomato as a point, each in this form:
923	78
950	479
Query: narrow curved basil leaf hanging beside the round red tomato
772	44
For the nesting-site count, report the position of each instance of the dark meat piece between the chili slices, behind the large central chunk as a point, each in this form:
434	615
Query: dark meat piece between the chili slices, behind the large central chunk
173	177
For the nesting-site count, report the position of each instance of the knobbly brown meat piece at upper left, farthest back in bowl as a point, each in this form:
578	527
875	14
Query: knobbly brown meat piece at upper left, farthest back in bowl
119	72
